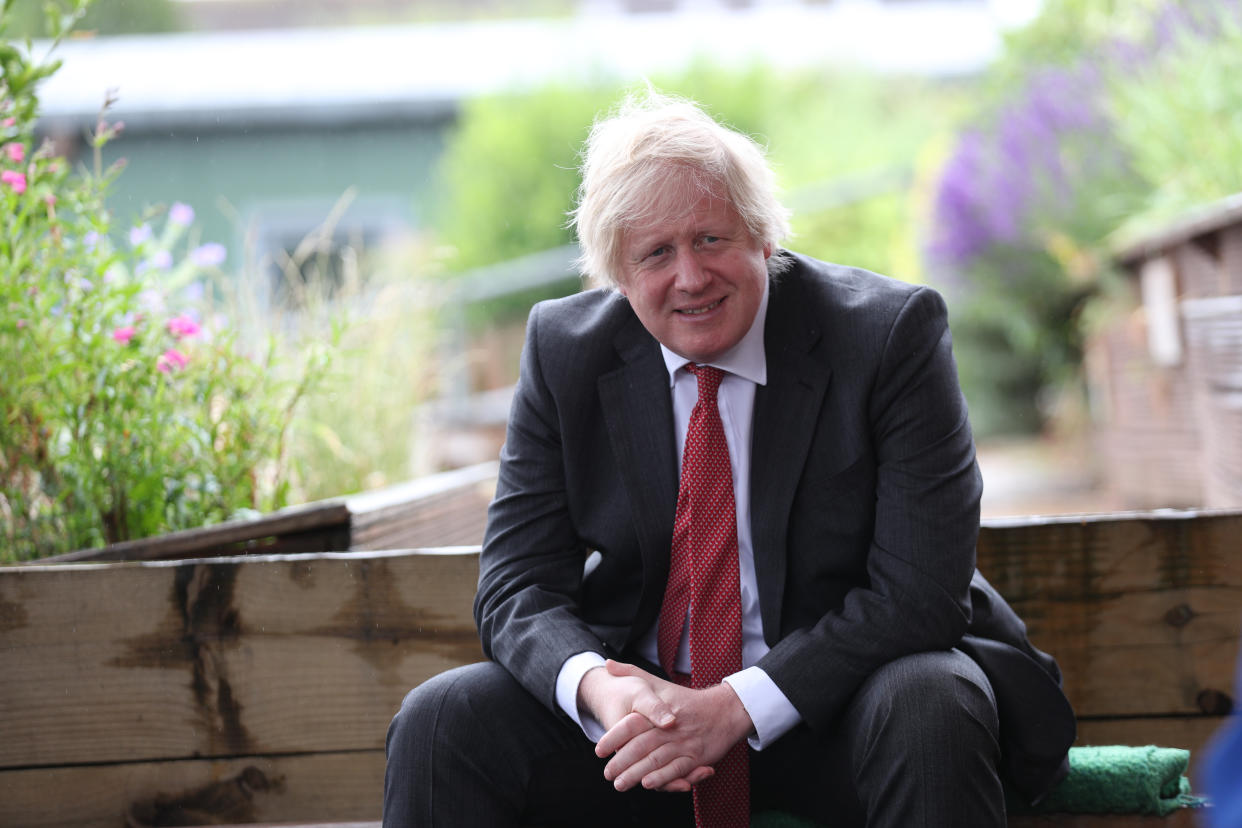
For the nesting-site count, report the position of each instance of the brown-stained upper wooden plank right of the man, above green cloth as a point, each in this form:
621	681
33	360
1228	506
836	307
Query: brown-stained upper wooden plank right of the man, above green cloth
1143	613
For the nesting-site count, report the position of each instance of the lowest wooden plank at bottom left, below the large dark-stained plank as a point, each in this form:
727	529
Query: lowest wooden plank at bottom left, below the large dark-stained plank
317	789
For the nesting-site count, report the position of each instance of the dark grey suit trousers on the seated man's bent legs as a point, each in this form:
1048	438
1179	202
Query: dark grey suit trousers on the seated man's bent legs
916	748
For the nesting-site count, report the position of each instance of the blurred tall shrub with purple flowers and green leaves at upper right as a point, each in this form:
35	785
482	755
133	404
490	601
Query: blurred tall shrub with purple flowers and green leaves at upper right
1076	142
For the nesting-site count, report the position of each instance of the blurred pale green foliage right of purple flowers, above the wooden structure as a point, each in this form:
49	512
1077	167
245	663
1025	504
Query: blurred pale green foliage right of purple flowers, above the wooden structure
1181	120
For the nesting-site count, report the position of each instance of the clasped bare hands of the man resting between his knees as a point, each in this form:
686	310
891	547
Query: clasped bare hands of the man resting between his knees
660	734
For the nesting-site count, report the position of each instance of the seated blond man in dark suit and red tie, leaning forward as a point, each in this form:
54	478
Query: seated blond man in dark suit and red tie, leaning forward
733	539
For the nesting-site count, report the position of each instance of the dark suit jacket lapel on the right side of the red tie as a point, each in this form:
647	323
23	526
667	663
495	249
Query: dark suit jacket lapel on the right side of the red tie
787	413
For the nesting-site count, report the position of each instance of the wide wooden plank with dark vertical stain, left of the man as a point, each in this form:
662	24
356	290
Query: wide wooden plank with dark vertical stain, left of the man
223	657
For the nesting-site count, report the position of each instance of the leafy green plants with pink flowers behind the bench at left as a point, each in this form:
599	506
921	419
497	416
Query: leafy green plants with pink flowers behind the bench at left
122	413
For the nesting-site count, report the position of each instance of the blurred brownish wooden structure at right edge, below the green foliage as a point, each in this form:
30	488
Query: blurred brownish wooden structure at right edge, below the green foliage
1166	379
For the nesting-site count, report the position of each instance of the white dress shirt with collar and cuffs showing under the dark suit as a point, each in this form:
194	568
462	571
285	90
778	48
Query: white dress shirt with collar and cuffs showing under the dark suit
746	367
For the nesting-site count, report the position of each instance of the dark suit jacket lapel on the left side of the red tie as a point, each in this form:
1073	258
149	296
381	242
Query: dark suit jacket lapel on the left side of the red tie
639	414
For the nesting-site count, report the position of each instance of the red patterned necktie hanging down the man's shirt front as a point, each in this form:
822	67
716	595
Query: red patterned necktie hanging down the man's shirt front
704	578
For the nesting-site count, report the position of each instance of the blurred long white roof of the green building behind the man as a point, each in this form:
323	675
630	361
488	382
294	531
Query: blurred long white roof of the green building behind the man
425	70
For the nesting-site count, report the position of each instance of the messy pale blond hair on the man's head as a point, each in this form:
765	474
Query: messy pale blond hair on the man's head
655	148
